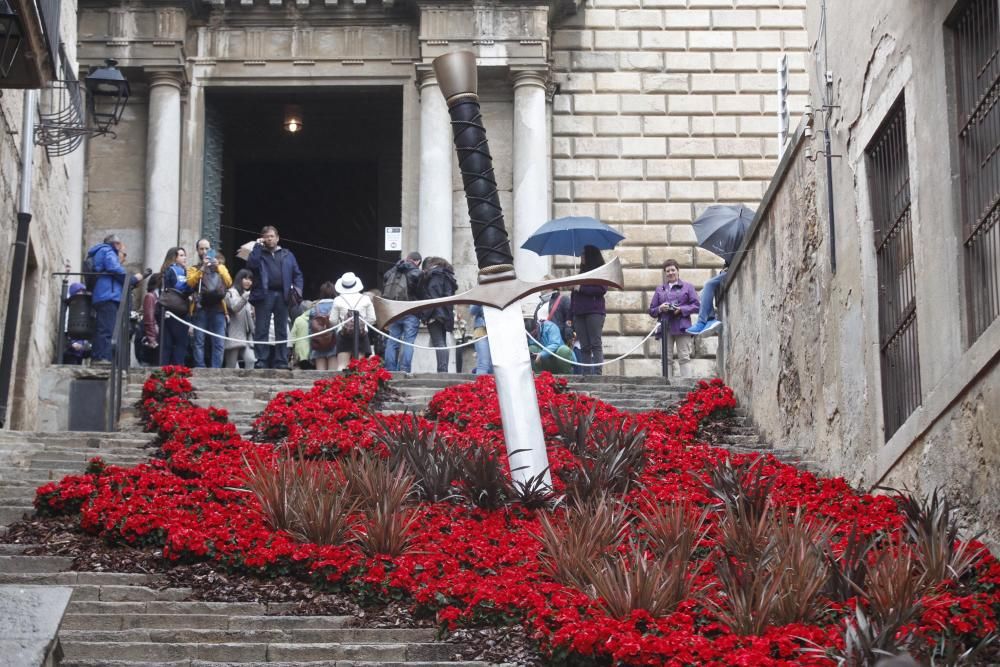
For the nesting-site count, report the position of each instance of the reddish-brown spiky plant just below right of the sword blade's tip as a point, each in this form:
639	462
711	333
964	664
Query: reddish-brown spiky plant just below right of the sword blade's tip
588	531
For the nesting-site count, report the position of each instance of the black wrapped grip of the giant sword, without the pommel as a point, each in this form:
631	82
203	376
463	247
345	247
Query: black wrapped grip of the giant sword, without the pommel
476	164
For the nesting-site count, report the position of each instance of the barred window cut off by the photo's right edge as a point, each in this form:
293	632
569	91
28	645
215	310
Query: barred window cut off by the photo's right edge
976	38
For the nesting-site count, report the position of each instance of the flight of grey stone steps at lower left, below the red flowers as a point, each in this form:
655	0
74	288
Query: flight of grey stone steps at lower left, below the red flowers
126	619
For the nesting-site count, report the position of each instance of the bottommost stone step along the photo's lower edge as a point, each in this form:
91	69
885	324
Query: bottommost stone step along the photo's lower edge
244	652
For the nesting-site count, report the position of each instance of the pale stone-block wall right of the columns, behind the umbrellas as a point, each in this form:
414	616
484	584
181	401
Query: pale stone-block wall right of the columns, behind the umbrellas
665	107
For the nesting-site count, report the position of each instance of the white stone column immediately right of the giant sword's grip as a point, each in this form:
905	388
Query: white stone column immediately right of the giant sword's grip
531	170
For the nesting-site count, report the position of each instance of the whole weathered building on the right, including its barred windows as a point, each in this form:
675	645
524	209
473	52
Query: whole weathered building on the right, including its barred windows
884	370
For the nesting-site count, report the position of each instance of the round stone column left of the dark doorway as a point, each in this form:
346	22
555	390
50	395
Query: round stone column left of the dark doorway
163	166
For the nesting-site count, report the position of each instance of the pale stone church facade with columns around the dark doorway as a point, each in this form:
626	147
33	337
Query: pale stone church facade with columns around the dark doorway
639	112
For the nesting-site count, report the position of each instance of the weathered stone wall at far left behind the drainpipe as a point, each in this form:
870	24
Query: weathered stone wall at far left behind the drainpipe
51	242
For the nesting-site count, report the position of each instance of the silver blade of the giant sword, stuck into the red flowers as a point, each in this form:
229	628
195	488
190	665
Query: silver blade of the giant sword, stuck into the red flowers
522	422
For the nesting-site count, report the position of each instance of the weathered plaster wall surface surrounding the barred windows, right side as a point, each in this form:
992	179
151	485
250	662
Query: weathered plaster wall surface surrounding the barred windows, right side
801	341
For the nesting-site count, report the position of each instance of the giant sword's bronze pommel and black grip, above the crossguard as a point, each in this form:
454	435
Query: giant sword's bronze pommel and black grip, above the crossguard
457	77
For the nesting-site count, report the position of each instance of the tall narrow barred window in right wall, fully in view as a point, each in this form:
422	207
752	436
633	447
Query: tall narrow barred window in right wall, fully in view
889	184
